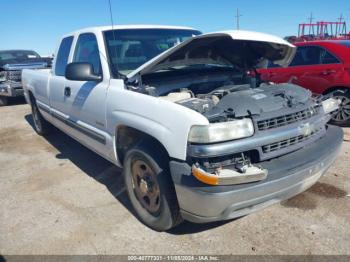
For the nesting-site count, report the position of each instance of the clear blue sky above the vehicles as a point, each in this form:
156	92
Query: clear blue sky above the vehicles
38	24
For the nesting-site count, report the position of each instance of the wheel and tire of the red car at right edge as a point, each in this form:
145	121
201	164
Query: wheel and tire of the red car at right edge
342	116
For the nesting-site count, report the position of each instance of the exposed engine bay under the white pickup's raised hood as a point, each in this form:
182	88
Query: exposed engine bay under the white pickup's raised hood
223	94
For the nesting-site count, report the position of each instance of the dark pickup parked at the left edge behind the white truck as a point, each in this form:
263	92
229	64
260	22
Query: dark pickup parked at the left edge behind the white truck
11	64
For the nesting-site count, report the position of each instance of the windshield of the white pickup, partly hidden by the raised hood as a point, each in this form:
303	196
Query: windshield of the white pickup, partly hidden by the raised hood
130	48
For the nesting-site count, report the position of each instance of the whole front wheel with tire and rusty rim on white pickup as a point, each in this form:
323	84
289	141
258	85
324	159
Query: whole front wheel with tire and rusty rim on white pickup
147	176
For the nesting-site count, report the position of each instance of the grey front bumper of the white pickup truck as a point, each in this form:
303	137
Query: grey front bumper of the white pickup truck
288	175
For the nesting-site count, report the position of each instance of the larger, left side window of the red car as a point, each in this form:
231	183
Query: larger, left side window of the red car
307	55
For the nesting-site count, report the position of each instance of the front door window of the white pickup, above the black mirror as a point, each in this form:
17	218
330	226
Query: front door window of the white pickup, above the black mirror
87	51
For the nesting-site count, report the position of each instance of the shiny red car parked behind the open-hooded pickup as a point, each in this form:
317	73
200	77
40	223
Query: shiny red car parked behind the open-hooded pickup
322	67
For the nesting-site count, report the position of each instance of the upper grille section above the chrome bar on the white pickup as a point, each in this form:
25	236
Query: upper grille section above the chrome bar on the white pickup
286	119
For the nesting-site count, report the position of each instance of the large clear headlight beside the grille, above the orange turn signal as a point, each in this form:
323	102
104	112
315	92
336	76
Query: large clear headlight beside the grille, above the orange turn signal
219	132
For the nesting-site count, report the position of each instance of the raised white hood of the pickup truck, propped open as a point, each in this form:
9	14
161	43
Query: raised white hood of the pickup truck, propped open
243	49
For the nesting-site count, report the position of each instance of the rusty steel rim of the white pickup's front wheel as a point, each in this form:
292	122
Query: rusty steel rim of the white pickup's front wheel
145	185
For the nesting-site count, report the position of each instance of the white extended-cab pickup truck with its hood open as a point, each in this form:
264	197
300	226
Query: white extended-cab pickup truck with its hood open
199	136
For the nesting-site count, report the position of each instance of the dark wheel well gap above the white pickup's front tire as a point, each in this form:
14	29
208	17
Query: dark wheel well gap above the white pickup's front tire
128	137
